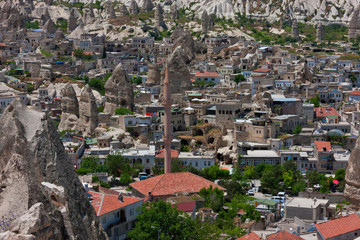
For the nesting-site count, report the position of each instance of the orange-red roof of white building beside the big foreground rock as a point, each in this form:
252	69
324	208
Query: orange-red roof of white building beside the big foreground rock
105	203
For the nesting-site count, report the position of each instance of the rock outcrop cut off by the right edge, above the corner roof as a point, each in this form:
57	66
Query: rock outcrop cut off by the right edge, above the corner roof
352	176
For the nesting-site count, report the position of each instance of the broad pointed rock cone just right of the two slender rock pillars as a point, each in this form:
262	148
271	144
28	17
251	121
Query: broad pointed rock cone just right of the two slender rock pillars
118	91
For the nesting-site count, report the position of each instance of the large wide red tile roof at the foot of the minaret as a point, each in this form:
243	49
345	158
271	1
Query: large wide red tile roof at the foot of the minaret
170	183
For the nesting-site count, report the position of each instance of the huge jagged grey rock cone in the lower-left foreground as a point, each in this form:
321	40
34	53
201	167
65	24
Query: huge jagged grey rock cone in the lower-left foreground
41	195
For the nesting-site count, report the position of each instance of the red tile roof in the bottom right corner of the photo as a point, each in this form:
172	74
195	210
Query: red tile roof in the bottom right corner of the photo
339	226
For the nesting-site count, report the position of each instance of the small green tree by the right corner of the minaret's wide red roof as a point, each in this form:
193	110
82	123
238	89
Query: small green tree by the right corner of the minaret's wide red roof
214	198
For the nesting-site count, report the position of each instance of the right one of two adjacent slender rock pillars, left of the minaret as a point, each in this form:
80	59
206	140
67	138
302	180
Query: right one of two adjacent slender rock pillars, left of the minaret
88	114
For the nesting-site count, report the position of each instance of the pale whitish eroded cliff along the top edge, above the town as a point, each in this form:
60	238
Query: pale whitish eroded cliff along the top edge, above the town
333	11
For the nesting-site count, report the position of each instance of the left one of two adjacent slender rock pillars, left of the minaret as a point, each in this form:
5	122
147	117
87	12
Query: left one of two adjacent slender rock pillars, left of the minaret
69	107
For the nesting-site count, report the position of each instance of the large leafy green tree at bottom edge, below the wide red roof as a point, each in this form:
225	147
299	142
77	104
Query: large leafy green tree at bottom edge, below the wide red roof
159	219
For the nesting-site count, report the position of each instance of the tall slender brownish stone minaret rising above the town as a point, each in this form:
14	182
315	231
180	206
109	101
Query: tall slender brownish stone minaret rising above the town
167	122
